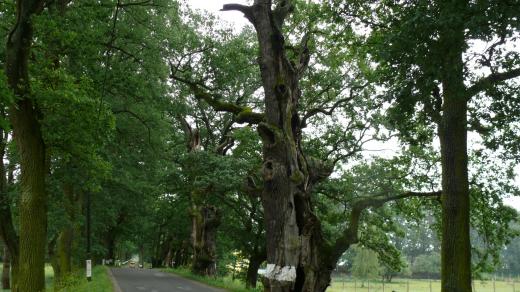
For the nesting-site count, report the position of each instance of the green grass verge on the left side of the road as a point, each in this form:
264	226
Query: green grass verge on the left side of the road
77	282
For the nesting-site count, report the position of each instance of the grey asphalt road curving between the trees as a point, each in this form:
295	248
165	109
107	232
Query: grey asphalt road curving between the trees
146	280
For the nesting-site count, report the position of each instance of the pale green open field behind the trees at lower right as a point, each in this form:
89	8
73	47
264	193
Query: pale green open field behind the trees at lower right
404	285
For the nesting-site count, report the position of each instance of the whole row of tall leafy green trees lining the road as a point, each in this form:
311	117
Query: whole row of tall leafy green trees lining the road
195	142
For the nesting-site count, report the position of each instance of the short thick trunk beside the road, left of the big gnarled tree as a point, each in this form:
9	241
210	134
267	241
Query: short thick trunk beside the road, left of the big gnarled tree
205	221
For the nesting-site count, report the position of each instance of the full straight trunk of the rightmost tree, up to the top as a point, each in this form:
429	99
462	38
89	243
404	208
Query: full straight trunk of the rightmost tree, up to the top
456	248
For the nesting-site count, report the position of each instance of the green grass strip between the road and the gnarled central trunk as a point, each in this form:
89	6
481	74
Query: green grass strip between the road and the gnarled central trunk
224	283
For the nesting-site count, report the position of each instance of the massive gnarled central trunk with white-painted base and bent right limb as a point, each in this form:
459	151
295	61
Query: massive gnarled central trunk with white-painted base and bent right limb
298	258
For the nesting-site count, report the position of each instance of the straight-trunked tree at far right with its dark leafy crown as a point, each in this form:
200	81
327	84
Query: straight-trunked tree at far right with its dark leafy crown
422	50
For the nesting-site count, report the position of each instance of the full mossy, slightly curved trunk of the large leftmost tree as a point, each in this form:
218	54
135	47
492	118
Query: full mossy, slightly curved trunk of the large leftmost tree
27	134
